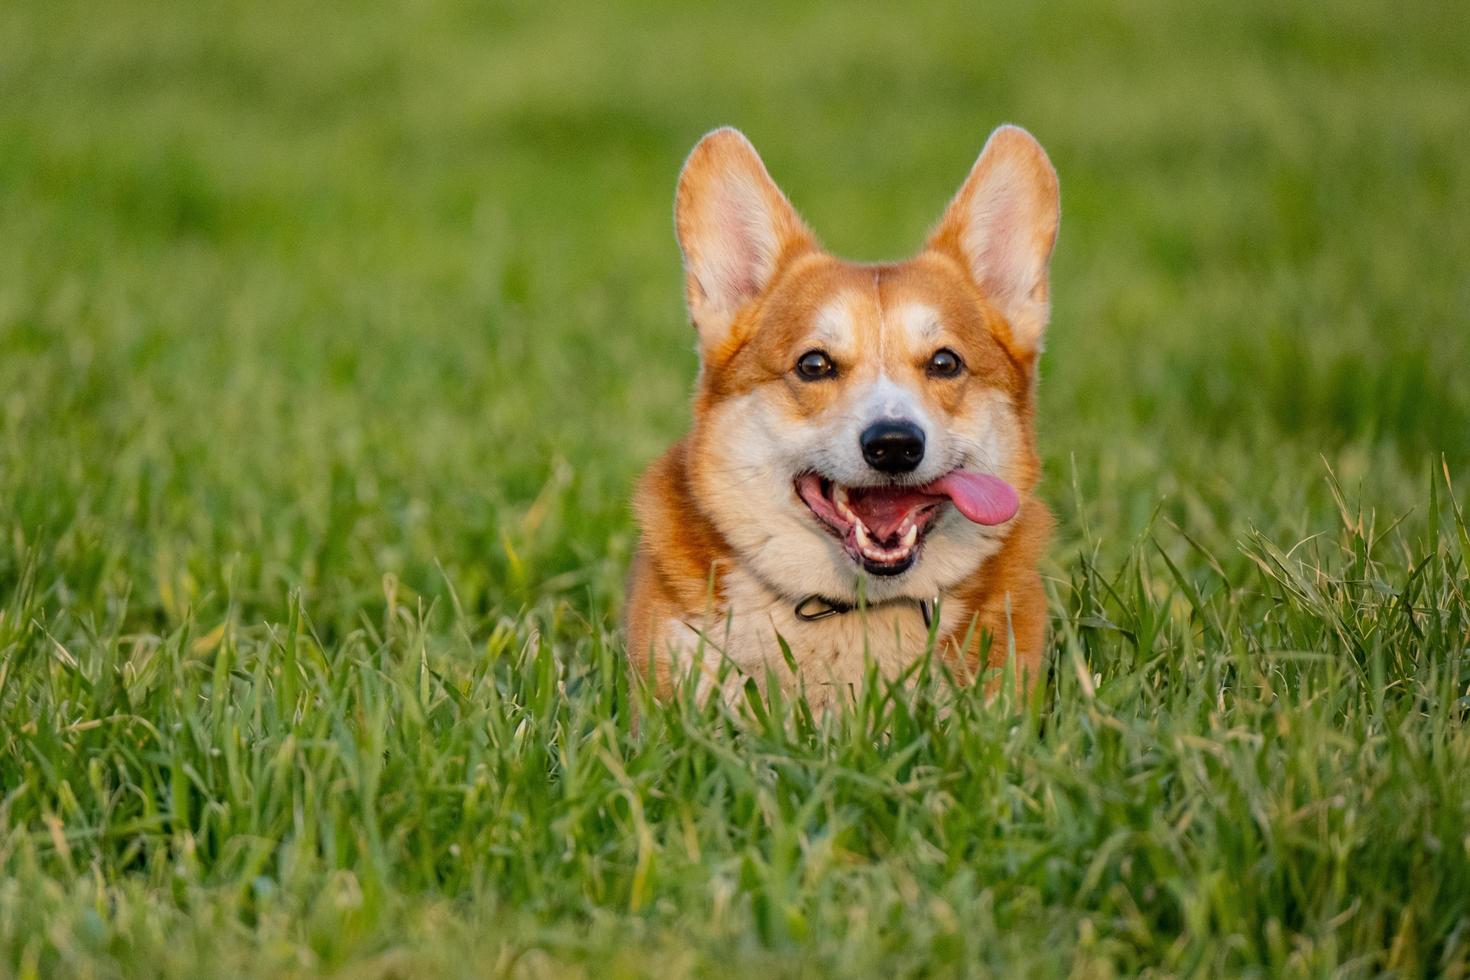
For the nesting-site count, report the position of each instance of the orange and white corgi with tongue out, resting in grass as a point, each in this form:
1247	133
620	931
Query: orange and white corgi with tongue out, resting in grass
859	478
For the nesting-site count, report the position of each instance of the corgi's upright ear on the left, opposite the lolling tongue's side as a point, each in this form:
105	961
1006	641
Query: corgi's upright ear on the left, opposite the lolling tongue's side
736	230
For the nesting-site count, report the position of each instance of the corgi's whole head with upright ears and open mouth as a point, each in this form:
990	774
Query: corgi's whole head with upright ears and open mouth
865	428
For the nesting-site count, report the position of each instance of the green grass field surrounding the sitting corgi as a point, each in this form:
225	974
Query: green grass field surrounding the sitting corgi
333	337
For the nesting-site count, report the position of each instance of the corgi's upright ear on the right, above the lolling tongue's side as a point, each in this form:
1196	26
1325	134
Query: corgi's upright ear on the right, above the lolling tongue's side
1002	227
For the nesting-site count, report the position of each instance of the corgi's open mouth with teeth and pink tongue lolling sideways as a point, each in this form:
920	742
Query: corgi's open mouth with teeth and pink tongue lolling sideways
883	528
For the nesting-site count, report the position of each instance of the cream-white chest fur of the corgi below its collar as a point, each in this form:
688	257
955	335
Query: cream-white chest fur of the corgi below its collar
831	653
